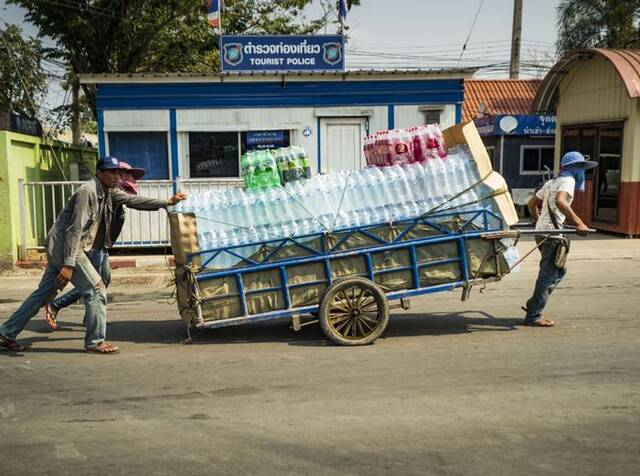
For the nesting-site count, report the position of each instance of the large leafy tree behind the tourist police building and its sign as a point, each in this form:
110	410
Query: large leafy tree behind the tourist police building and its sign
133	36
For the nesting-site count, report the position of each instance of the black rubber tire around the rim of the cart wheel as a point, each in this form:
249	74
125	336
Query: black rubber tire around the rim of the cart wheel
341	284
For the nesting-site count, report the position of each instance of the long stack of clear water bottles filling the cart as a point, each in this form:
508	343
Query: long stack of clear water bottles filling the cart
336	201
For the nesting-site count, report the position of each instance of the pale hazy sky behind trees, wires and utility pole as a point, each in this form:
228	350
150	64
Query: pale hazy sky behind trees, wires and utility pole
390	34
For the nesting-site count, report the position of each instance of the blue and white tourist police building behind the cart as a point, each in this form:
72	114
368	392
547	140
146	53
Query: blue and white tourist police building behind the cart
194	128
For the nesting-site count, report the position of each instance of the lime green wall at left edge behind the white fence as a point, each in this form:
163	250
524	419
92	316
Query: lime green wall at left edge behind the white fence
32	159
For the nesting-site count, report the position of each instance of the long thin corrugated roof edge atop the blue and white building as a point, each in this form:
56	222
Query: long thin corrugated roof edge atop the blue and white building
199	77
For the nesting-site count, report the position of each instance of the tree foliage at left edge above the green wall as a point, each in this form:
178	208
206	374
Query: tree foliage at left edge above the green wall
23	82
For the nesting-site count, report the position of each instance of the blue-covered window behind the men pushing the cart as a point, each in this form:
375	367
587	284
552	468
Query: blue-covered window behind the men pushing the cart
147	150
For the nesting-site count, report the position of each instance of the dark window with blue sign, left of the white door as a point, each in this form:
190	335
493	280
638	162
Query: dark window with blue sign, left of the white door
217	154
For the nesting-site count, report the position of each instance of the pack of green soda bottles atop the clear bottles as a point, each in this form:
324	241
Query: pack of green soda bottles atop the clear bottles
263	169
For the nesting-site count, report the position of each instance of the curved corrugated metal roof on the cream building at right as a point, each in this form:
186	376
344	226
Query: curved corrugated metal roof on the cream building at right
626	63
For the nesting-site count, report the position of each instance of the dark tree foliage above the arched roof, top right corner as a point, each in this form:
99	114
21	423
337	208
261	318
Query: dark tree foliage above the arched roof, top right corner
598	24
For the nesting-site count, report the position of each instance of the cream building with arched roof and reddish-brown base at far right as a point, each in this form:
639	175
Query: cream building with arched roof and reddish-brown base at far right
595	95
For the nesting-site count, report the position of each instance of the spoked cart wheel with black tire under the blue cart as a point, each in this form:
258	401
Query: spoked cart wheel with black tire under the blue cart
354	311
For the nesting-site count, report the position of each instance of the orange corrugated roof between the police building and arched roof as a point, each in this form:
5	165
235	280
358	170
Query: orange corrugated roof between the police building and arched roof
500	96
